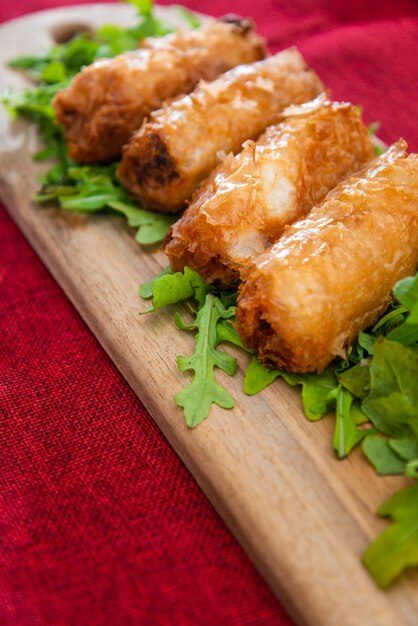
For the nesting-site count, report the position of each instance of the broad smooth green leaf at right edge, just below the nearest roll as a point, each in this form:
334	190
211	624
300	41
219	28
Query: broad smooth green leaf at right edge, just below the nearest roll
392	404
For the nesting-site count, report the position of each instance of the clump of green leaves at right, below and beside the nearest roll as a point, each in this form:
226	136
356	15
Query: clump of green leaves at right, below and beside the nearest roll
375	396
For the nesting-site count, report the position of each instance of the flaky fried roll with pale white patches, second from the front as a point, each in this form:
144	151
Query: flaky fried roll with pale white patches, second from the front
244	206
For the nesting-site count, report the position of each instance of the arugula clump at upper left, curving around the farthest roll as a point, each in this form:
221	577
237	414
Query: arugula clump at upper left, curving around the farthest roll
71	186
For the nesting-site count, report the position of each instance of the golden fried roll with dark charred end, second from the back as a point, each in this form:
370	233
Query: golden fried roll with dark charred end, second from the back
165	161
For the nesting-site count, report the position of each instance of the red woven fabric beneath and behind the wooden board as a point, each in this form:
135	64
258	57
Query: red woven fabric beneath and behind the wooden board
100	523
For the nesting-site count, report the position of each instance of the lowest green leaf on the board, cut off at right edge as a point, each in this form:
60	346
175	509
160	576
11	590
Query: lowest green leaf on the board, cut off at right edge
397	547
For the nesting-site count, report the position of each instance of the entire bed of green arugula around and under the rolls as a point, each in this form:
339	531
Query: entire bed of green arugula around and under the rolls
373	392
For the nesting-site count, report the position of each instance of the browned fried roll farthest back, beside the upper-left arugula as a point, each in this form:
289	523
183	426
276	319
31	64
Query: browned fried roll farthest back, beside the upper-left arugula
108	100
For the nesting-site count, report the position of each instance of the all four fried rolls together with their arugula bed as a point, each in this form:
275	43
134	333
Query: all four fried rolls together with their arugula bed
304	300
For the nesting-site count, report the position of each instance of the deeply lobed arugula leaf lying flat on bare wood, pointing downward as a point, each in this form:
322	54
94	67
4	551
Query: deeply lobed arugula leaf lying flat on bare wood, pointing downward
197	398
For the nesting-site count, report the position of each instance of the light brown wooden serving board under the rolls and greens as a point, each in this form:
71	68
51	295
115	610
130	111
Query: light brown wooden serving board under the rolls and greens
302	516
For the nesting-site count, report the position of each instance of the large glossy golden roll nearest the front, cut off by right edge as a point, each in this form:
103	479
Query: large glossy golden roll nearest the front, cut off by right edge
331	274
